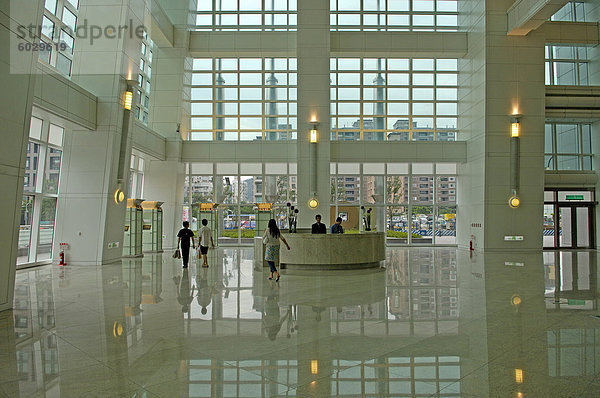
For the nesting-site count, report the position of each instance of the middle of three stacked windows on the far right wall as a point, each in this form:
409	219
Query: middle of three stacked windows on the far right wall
567	65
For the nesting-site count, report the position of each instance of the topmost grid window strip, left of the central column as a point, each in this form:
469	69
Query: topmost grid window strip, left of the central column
236	15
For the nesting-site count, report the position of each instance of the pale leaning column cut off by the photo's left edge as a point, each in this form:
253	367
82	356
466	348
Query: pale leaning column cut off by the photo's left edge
17	77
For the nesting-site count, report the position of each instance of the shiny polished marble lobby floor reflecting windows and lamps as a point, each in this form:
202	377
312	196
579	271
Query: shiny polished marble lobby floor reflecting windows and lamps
431	323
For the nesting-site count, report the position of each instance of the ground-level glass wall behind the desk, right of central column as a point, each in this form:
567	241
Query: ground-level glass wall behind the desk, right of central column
414	203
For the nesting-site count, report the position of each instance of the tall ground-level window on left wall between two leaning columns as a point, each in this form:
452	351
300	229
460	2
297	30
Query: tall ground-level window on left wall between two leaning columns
41	182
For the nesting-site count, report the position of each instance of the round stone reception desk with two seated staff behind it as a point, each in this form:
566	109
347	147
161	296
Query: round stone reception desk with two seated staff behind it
337	251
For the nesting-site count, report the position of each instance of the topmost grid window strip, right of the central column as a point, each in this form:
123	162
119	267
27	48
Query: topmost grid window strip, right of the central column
398	15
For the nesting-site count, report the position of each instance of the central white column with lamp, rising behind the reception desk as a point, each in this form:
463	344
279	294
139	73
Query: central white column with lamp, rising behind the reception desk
313	52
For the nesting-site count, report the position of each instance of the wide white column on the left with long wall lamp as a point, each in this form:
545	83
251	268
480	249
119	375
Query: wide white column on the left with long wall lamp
91	220
